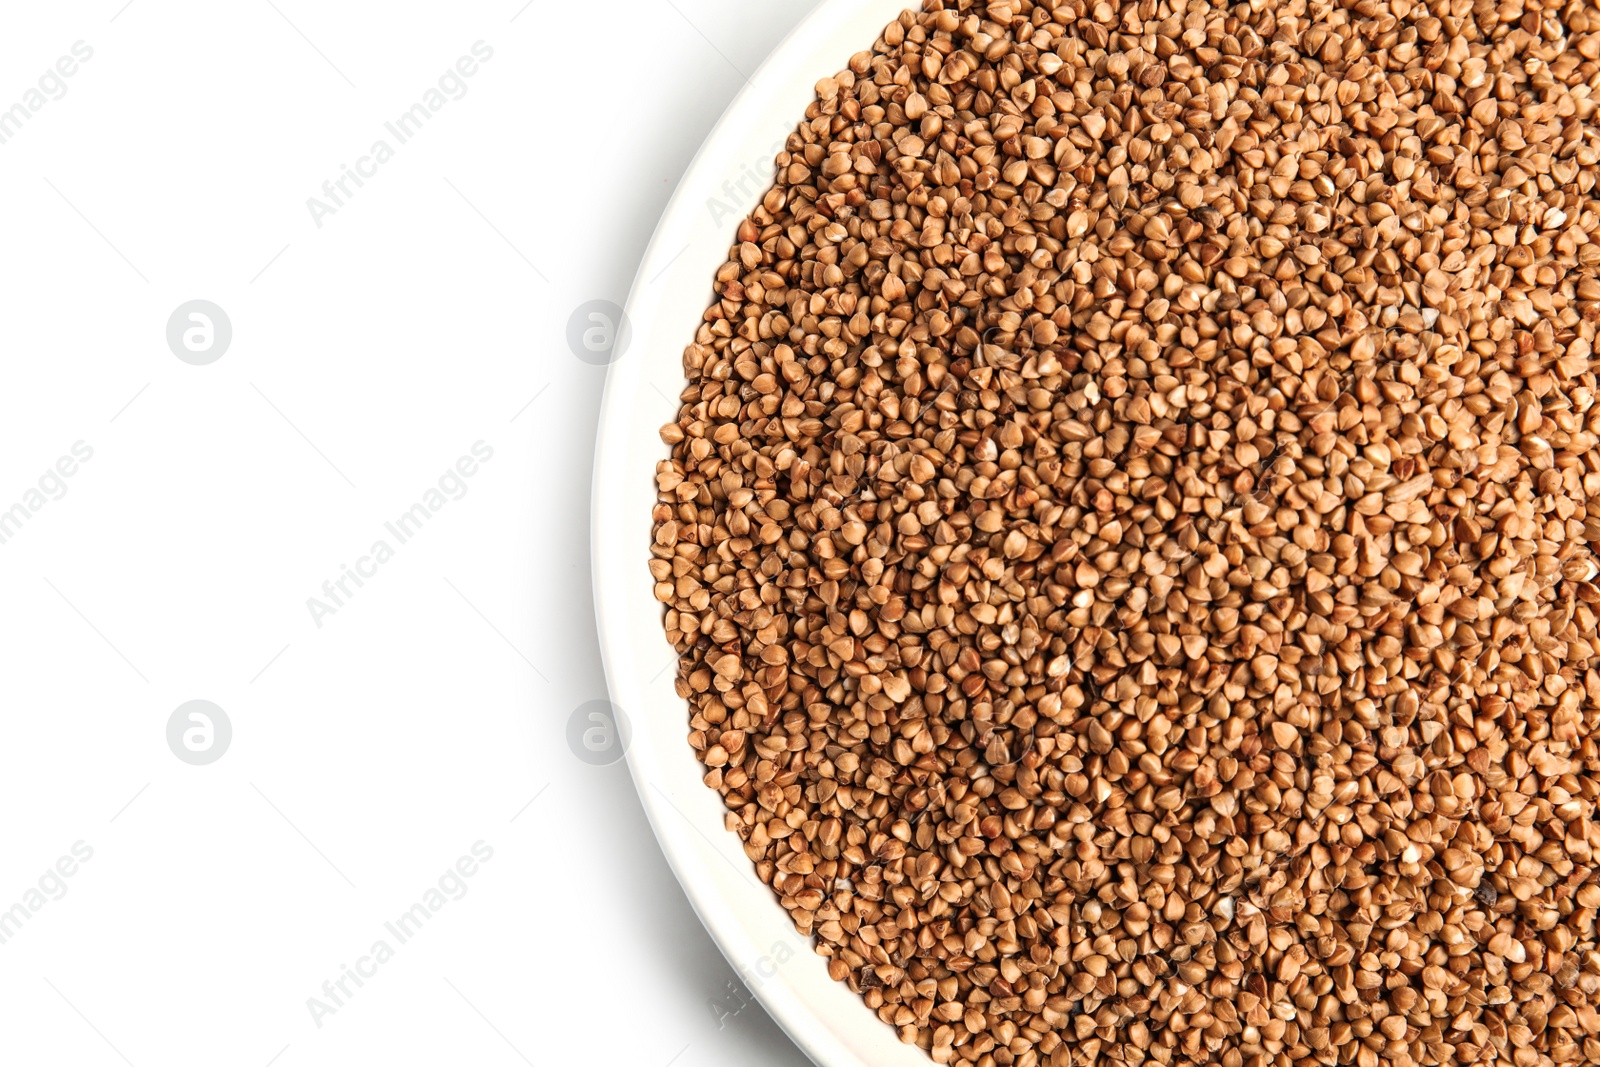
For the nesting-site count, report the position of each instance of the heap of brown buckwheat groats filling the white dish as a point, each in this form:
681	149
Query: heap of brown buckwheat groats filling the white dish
1127	532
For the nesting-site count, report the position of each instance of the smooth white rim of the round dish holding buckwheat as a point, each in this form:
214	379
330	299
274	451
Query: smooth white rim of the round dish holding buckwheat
671	292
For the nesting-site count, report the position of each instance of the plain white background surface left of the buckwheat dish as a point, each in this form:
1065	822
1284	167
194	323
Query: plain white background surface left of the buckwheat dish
430	711
